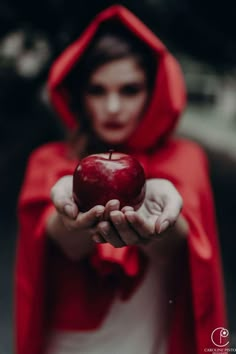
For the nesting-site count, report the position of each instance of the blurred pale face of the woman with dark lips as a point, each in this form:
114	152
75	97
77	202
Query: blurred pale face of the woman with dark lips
115	99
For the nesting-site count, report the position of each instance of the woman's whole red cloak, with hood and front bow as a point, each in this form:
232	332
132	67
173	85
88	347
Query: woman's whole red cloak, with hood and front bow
77	288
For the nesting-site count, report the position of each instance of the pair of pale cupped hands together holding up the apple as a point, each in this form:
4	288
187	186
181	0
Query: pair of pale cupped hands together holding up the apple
160	211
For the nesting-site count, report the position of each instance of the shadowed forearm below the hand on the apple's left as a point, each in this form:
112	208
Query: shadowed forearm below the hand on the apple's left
75	246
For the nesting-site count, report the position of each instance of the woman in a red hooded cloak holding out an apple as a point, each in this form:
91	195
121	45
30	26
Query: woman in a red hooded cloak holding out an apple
111	280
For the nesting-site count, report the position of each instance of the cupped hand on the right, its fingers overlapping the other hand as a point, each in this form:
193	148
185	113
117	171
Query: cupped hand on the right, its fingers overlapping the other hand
159	212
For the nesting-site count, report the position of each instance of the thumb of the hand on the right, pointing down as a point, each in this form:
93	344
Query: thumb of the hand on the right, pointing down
171	211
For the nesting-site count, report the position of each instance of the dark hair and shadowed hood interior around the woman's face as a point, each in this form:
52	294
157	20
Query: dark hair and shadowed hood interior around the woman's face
112	42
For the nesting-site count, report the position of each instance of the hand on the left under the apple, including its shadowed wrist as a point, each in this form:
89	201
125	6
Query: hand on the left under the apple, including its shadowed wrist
74	231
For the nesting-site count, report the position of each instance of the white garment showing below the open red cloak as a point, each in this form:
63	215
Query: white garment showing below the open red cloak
135	326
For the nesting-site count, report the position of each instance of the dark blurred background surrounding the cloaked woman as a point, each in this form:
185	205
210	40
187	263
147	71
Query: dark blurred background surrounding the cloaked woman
201	34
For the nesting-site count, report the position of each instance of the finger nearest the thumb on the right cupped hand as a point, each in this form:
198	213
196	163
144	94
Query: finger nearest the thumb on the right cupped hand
144	228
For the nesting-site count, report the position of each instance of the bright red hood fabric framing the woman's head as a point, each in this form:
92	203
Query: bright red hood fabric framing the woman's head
169	91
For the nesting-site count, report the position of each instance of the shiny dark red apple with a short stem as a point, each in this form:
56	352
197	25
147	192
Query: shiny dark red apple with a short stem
101	177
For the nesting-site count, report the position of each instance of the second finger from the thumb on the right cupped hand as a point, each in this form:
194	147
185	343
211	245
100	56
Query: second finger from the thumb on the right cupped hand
126	233
